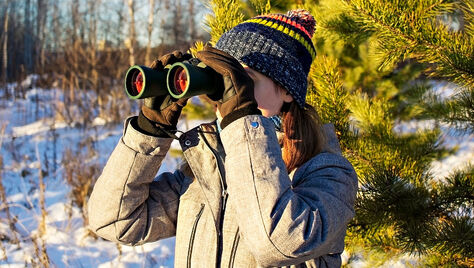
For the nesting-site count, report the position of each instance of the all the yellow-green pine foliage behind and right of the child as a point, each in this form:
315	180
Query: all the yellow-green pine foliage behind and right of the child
376	66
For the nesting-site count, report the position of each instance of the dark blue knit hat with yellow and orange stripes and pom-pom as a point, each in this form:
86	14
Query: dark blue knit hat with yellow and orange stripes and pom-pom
276	45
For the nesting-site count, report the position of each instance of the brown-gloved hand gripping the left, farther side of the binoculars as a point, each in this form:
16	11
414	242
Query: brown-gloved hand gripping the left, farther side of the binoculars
160	114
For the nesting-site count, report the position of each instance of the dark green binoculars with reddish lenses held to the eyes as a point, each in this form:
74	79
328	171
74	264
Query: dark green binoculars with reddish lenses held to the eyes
180	80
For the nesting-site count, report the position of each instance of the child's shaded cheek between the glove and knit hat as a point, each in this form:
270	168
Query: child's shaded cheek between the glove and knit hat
269	96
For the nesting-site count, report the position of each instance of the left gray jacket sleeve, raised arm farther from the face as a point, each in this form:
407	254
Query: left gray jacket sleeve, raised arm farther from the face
127	204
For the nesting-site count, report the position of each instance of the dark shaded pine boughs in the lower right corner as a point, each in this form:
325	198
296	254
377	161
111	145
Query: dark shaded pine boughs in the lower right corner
436	221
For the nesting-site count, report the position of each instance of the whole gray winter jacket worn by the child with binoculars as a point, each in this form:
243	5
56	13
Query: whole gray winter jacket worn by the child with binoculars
240	209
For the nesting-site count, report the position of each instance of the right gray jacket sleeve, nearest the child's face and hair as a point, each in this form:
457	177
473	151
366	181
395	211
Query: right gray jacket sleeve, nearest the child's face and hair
280	223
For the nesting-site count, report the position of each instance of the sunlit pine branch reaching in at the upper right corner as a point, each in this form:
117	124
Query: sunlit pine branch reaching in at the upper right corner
420	37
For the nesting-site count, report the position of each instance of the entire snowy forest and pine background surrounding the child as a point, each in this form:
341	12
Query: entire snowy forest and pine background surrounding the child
394	77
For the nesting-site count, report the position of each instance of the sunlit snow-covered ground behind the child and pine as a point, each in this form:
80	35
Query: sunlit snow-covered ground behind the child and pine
35	140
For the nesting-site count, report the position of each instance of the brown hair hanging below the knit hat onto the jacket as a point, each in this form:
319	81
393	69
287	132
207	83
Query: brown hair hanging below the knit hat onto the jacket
304	137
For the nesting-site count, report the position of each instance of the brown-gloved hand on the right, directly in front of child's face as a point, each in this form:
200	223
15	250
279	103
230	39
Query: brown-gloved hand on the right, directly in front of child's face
238	98
